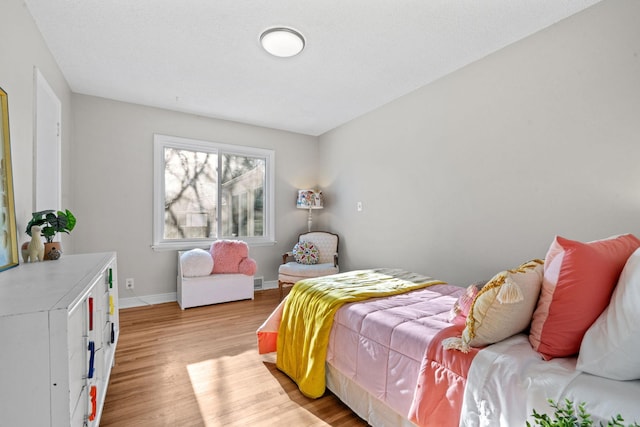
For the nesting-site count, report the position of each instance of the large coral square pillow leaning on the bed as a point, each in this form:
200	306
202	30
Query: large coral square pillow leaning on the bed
578	281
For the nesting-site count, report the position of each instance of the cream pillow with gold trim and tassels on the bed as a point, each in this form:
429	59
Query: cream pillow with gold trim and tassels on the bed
502	308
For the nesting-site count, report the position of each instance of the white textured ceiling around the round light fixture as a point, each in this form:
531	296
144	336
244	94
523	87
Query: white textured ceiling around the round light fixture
204	56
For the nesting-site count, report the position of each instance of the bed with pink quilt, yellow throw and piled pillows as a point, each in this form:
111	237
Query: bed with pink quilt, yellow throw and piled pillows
439	354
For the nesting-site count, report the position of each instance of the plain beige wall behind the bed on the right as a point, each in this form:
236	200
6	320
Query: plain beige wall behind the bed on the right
478	171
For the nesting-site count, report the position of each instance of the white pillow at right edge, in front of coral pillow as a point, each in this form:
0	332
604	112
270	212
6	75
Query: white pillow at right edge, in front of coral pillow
611	345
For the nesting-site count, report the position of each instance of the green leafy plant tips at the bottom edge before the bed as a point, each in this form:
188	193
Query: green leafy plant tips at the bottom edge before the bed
569	415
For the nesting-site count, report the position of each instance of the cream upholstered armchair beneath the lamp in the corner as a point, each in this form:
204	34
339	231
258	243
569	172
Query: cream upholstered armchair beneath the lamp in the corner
290	272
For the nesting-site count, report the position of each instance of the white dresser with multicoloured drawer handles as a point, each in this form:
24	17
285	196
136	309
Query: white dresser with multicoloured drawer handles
58	334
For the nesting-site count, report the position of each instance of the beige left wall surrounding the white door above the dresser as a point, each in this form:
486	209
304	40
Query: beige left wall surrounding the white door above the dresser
21	49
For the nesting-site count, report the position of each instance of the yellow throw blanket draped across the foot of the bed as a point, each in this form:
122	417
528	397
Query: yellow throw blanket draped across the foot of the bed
307	318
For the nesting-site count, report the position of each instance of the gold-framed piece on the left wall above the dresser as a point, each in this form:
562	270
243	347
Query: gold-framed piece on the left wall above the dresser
8	233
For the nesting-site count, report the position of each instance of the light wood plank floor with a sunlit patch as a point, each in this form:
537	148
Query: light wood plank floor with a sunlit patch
201	367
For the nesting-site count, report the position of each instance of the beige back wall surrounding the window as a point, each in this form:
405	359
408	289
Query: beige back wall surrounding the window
113	184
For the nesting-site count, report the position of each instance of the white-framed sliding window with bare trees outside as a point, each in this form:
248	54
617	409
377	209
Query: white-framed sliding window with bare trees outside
205	191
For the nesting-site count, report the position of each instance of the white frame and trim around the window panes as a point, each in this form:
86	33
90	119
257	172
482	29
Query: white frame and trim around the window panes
160	142
